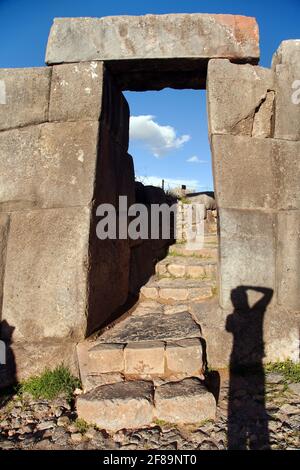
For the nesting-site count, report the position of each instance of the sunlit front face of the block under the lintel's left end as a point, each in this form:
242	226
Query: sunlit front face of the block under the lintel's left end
76	92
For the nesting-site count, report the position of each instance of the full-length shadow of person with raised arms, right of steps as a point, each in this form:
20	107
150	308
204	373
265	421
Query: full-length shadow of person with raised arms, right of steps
247	415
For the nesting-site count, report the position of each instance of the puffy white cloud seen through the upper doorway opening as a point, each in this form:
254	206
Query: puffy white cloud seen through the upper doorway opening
159	139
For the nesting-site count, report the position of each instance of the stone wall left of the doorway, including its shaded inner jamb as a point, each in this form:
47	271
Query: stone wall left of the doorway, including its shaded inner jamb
63	150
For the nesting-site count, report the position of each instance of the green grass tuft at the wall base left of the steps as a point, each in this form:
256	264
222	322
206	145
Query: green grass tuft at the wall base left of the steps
50	384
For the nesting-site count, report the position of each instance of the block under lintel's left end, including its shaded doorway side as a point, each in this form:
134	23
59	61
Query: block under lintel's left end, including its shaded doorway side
86	92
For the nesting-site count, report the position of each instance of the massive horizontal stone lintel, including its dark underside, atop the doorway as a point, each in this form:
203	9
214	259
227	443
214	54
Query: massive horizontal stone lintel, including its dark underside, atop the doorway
155	51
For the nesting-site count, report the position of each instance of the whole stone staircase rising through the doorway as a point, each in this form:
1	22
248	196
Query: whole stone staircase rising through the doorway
149	365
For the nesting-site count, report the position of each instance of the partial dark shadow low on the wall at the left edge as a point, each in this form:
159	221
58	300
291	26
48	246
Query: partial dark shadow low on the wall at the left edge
8	375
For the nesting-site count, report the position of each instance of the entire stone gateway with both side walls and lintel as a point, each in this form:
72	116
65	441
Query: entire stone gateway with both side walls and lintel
64	151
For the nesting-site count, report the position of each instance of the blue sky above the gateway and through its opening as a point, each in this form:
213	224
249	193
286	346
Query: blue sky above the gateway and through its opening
24	28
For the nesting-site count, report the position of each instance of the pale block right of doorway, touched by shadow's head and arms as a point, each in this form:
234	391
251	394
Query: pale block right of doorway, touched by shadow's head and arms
247	251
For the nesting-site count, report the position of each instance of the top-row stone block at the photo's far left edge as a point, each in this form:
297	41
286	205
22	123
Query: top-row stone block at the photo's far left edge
25	97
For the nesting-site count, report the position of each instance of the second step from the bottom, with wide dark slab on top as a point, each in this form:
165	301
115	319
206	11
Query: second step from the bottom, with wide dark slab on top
156	340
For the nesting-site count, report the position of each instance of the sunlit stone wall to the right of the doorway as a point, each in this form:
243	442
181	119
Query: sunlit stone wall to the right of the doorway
255	141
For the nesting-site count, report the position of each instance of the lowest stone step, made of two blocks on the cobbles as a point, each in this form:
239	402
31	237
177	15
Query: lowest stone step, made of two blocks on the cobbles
136	404
